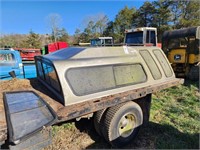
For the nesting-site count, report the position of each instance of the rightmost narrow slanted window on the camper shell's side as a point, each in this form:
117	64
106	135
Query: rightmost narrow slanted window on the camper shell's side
163	63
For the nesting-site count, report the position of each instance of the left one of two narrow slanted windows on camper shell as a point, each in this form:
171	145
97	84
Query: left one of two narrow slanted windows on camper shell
151	64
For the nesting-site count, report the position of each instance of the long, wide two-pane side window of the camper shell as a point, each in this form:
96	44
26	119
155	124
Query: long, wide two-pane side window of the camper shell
88	80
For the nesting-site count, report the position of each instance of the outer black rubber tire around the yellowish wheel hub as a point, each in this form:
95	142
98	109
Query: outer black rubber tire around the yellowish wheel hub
111	123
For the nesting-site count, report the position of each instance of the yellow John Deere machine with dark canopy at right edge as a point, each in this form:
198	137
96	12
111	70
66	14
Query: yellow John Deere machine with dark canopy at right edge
182	48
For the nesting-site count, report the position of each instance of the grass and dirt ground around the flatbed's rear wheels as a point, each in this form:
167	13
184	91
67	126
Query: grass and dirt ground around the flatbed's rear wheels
174	124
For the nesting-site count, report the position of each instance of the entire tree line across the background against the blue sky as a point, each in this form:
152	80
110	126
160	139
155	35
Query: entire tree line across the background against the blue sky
162	14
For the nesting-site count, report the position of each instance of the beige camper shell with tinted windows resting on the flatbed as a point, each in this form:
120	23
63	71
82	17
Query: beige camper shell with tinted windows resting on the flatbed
81	74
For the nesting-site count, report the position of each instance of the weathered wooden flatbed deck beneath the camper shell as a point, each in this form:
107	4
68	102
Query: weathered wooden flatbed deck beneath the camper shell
66	113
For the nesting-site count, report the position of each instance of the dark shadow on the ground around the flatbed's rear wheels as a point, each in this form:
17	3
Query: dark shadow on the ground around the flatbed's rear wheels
152	136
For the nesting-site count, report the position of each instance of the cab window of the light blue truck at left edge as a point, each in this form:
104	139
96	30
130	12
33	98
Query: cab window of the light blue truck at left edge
7	60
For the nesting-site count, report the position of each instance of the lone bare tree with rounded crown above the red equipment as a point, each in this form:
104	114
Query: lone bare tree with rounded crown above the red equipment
54	21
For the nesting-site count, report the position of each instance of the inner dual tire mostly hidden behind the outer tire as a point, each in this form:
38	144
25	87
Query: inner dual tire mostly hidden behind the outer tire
98	120
